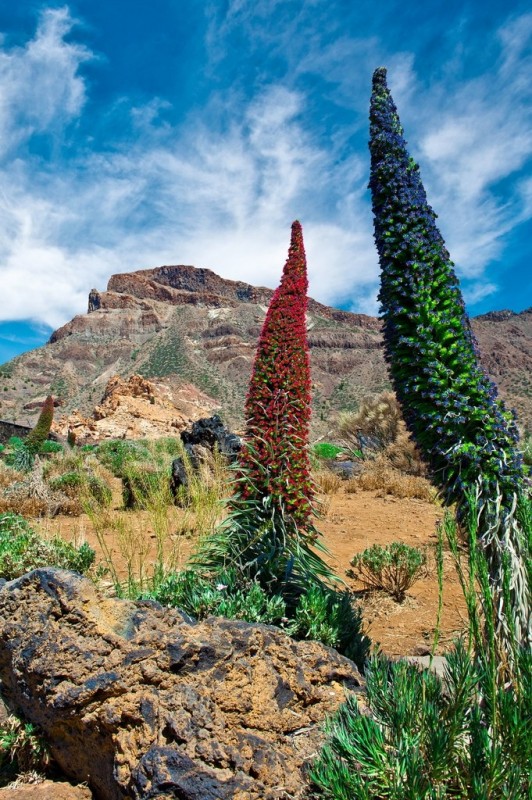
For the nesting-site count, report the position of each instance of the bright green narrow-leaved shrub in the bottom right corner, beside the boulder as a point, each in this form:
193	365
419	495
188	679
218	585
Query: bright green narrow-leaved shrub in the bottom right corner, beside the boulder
428	739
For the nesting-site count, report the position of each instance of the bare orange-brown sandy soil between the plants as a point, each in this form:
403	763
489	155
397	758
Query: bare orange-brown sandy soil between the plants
351	523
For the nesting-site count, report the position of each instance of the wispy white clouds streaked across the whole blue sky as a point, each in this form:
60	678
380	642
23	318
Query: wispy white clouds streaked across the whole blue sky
221	189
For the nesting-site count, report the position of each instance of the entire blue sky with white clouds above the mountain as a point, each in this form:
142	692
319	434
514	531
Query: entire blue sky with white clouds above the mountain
134	135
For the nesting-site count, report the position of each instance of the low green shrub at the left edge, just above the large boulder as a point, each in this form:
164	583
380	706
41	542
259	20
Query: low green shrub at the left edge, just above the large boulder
22	550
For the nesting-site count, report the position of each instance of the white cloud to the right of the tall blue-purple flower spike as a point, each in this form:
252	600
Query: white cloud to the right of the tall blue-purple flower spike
479	136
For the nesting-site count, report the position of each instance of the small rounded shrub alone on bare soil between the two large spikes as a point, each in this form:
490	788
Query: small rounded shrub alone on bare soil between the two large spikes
393	568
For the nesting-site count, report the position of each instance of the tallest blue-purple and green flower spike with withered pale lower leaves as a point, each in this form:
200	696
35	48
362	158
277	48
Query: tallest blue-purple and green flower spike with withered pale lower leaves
449	404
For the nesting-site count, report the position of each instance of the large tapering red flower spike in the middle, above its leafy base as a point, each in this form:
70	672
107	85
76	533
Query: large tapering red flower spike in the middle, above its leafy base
275	458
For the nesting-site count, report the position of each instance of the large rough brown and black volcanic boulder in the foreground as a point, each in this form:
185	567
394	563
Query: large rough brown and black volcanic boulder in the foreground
141	702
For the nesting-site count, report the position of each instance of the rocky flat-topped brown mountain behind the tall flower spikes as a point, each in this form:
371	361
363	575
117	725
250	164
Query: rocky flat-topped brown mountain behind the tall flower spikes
193	335
